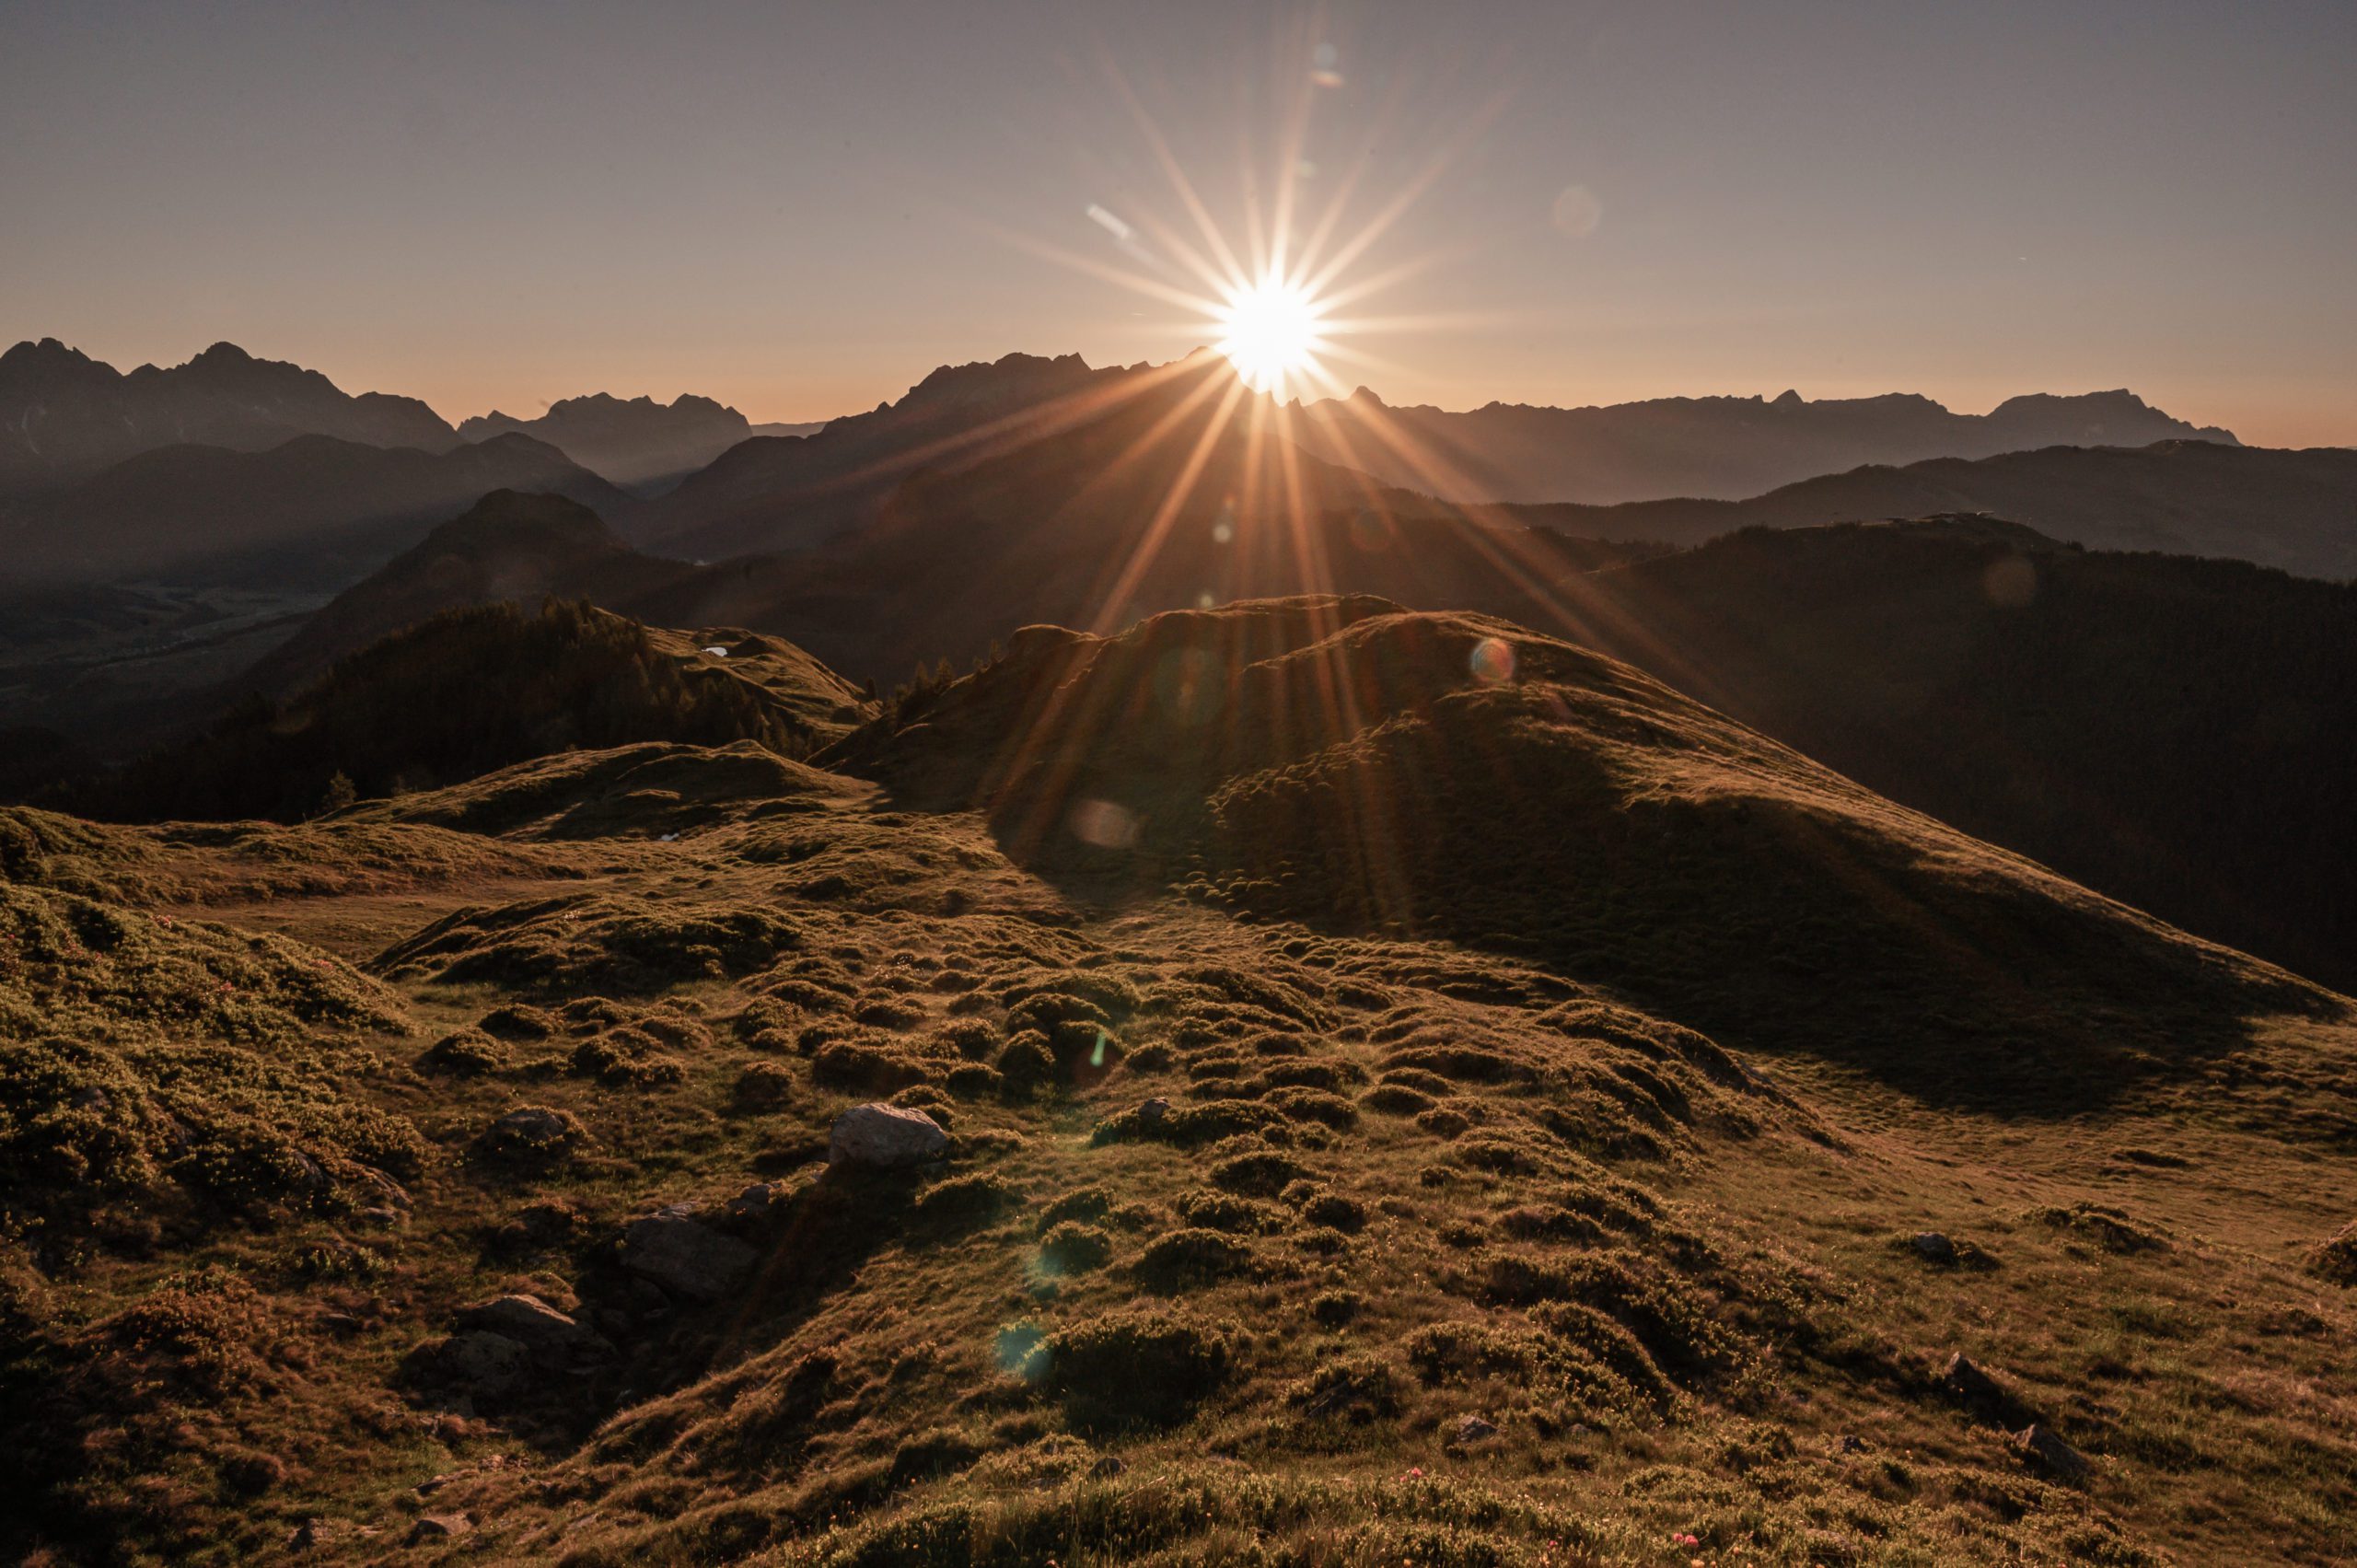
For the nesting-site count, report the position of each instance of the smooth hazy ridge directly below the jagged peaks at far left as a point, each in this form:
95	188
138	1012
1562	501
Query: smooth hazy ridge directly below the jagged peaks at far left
315	508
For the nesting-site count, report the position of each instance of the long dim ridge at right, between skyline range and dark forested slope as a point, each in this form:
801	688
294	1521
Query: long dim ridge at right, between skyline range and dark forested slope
2295	510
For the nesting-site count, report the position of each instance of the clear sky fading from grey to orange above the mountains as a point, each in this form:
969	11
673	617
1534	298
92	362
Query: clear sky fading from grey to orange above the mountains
805	209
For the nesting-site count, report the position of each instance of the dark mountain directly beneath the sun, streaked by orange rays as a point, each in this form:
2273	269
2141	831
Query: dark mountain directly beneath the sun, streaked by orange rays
1163	499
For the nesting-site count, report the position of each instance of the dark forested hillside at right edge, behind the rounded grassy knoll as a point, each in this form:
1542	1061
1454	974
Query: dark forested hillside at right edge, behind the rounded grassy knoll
2167	730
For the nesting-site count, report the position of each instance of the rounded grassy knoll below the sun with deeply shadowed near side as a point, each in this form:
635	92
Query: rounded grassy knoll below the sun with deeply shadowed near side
1446	775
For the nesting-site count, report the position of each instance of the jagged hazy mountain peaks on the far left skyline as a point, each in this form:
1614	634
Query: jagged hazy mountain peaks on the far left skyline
65	416
